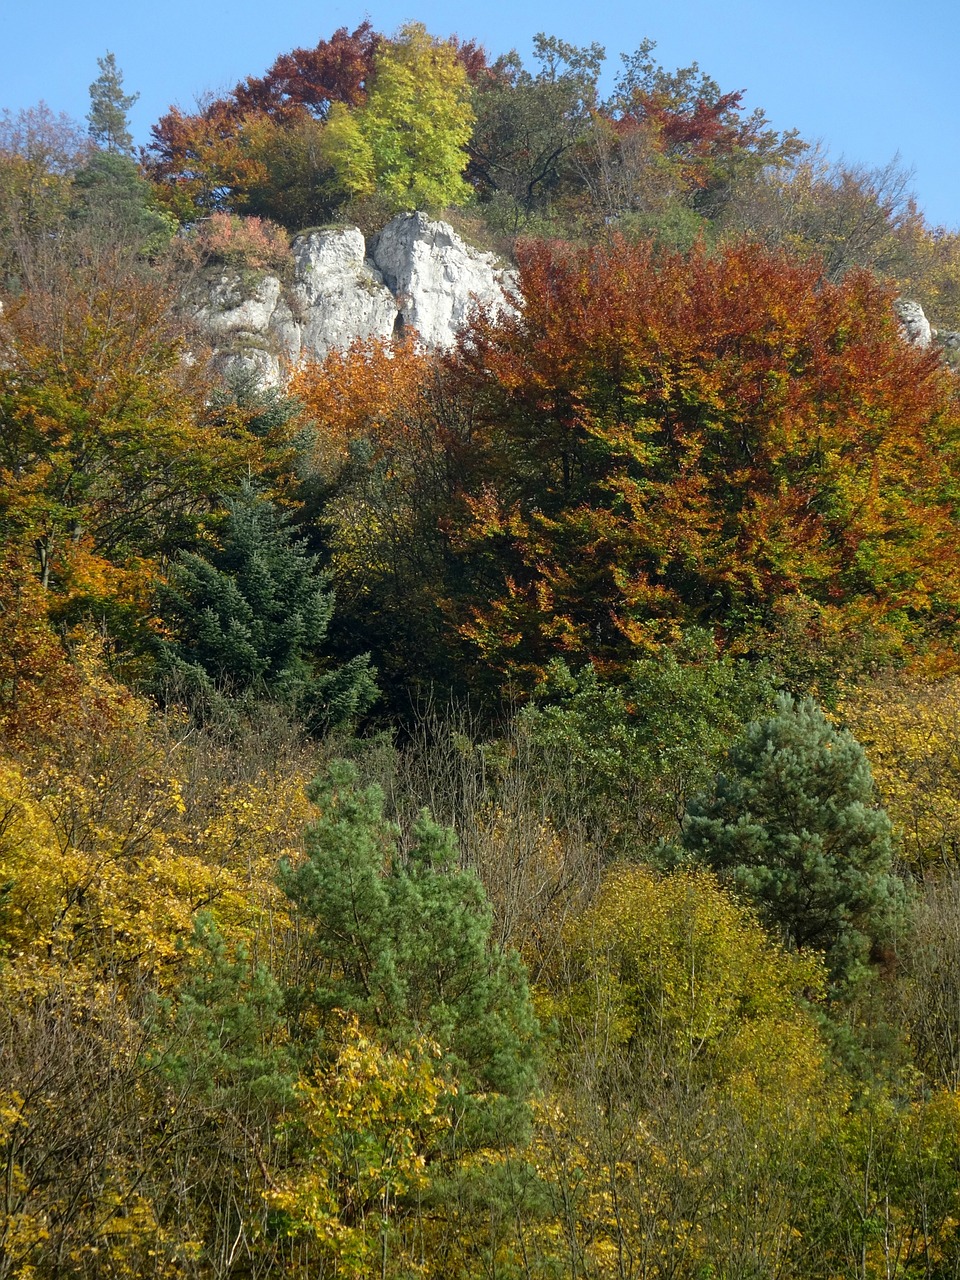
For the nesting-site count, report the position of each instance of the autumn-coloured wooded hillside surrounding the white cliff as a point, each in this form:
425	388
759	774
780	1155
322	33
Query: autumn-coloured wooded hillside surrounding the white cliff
487	813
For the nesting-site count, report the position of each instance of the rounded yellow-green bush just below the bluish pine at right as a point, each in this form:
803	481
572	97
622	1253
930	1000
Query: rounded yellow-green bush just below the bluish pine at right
692	984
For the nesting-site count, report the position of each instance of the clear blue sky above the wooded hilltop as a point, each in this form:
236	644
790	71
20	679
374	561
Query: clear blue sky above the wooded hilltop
867	79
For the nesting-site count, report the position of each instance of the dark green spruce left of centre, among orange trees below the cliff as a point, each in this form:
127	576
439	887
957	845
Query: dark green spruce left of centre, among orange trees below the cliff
250	619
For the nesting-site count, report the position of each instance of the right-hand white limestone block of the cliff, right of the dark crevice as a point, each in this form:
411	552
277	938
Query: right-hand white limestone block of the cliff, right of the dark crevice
437	278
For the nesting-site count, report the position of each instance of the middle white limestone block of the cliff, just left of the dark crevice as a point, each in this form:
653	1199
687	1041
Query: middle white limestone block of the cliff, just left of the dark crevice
339	294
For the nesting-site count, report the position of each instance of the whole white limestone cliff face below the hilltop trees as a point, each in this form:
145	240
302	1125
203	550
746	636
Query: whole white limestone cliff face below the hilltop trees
415	275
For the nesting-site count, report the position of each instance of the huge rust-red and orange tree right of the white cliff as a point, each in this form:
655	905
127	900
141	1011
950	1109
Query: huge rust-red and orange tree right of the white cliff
666	440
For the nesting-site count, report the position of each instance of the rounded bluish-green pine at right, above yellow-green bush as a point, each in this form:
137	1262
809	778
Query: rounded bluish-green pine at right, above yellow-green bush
793	825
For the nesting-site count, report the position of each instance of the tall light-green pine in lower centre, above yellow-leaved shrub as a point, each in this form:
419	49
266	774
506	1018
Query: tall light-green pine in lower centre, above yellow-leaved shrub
404	940
